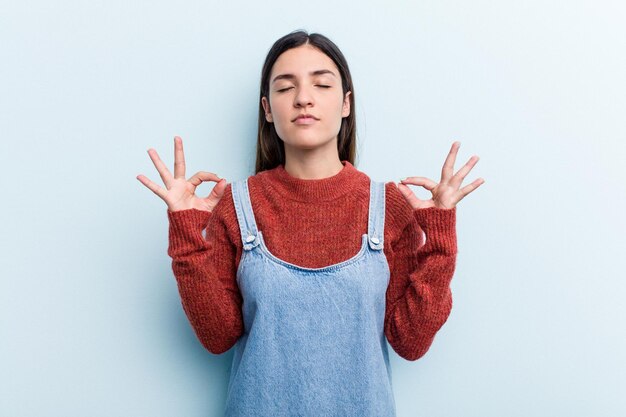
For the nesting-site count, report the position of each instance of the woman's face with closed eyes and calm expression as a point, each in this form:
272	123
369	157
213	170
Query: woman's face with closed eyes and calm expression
304	80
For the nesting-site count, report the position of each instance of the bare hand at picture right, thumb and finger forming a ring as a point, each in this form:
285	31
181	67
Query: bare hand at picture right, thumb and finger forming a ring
446	194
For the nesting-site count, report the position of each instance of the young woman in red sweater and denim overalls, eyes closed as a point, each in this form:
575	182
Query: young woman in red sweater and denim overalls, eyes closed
308	267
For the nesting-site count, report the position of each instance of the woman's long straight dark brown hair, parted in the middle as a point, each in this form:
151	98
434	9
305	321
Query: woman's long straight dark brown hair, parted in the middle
270	148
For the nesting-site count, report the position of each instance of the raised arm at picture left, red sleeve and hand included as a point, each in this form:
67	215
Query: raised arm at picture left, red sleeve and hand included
204	268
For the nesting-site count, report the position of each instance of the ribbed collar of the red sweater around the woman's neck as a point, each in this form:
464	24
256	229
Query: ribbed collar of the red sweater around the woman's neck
311	190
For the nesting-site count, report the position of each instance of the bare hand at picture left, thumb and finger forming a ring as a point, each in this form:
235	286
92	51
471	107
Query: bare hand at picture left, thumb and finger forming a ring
180	193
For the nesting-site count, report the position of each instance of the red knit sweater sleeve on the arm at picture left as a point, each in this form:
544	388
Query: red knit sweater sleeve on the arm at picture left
205	271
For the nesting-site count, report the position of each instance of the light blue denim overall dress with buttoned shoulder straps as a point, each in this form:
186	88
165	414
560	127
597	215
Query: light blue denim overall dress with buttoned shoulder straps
314	342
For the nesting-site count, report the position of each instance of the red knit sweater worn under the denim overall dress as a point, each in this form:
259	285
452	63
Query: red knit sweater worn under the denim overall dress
315	223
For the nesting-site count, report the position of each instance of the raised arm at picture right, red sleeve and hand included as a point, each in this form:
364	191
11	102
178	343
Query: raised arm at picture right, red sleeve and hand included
419	299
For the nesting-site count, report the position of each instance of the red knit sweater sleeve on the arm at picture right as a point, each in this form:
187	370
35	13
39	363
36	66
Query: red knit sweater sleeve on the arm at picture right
419	299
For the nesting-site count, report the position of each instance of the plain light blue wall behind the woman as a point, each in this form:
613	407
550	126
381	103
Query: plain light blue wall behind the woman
90	318
